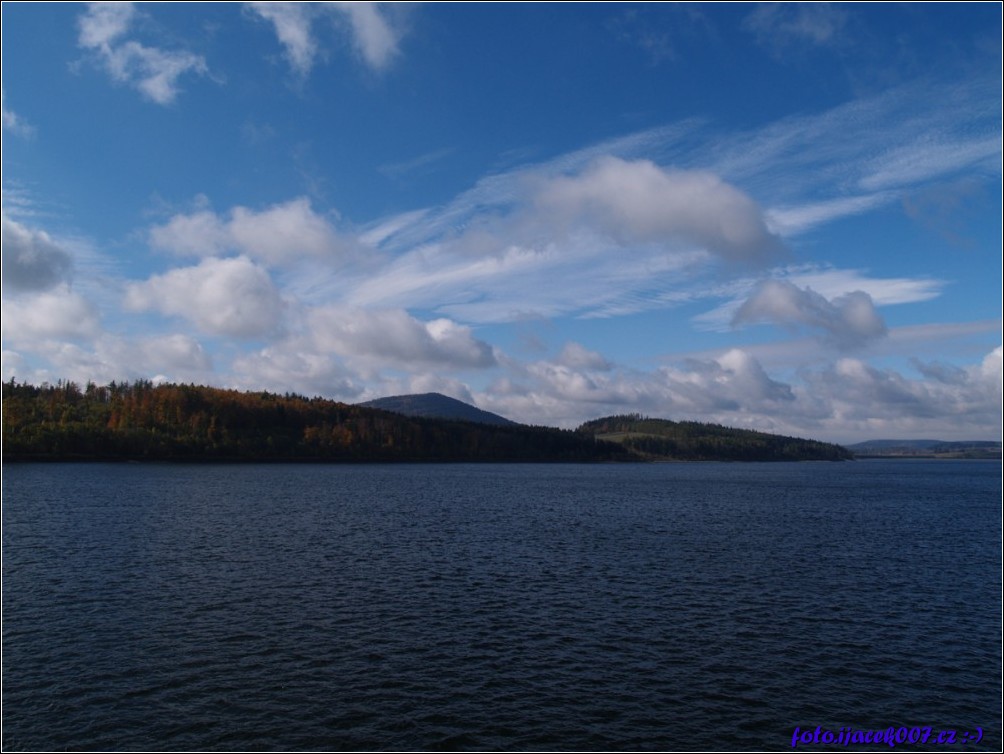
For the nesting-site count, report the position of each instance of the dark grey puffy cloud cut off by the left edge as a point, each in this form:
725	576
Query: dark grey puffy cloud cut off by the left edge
33	262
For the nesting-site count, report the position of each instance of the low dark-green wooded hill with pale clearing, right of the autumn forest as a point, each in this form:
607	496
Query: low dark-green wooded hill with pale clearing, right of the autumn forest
660	439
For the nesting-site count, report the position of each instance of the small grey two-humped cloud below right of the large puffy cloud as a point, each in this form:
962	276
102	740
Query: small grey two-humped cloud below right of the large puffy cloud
847	321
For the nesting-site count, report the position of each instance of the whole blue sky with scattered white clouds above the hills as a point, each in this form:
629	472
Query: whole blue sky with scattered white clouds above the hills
785	217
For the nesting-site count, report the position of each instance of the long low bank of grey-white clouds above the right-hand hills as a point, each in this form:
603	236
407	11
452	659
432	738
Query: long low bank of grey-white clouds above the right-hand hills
846	401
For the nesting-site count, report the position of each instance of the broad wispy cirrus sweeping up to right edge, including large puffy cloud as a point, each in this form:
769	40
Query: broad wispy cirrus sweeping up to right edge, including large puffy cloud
486	257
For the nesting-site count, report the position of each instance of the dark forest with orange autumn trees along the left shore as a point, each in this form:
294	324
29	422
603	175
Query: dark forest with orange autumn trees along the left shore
143	421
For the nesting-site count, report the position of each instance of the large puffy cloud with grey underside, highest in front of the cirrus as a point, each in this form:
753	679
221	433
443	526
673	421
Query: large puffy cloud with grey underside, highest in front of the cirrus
640	202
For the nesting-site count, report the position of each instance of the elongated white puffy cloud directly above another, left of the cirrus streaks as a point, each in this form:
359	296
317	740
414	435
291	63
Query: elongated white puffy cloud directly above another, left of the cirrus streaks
284	232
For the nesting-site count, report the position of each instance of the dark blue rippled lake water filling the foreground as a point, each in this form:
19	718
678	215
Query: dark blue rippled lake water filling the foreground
498	607
